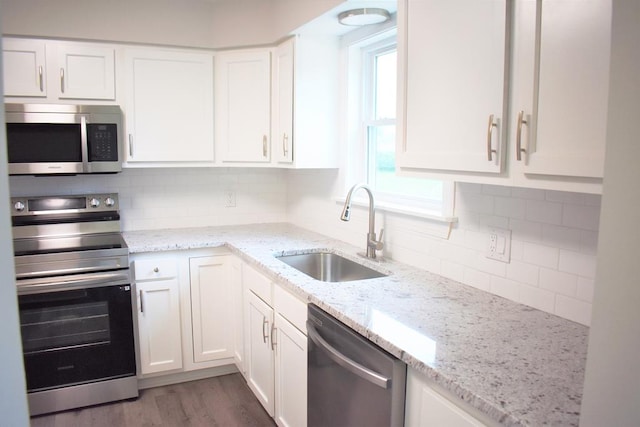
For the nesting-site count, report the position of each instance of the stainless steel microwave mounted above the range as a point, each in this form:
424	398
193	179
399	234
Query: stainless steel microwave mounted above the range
49	139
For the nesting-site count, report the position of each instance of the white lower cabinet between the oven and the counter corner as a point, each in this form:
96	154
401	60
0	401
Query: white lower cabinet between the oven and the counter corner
184	301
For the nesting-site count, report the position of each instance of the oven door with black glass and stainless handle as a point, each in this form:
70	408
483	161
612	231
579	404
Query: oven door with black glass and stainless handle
76	330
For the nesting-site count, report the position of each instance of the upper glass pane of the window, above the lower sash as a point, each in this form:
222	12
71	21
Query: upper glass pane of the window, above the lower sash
385	86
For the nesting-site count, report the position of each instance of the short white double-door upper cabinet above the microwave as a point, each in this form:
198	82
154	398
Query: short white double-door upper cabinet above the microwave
54	70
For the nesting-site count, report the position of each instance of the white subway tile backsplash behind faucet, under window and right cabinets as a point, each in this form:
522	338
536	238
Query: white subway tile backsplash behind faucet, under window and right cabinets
554	242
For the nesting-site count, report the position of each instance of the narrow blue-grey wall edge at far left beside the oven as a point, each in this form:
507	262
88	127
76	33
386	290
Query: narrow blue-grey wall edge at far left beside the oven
13	397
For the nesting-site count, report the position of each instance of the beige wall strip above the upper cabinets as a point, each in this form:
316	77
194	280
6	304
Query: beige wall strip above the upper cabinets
189	23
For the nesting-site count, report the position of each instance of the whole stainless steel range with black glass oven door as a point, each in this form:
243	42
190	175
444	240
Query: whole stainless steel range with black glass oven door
74	294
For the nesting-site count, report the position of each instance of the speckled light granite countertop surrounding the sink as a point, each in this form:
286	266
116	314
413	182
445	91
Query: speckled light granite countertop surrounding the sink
518	365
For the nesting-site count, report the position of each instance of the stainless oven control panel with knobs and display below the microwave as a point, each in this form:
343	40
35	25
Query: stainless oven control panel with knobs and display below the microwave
76	204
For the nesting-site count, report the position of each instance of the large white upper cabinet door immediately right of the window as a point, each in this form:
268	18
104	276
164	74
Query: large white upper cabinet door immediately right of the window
452	60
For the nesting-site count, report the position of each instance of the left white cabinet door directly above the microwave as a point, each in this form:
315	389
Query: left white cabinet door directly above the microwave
24	68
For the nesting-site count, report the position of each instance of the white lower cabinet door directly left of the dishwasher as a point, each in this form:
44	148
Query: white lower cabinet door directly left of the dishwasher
291	374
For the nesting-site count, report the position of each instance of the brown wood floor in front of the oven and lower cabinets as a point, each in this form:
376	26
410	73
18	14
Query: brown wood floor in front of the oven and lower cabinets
224	401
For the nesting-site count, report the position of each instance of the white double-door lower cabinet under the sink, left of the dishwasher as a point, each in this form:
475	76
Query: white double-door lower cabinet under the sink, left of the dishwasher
275	349
